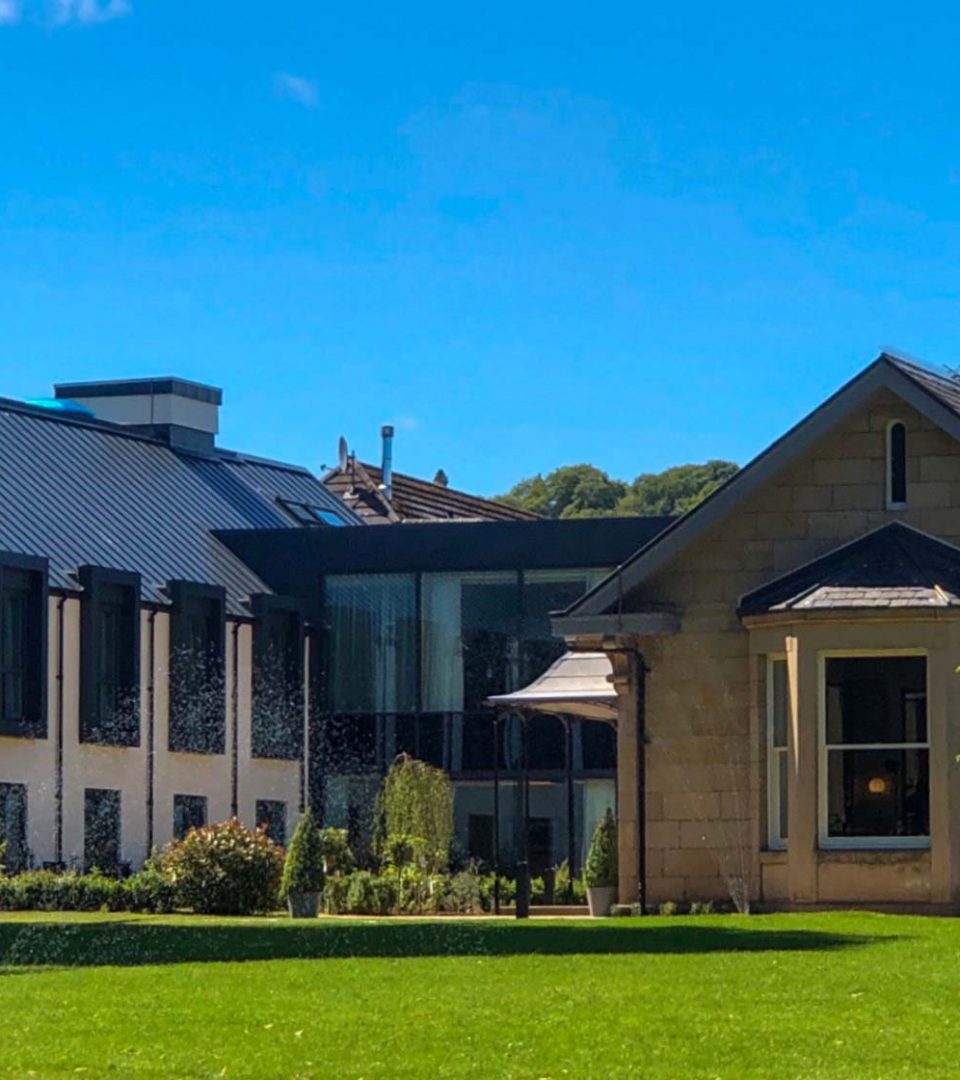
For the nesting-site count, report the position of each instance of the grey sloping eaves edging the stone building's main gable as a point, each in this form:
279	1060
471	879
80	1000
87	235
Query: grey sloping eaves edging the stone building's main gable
883	374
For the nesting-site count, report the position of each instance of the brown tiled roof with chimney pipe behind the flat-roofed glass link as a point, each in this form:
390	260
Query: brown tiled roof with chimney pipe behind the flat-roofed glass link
414	501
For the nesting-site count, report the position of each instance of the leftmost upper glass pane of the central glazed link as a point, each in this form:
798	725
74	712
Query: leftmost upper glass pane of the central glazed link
373	643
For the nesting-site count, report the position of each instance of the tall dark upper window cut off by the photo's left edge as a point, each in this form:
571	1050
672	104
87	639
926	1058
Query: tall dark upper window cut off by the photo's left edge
23	649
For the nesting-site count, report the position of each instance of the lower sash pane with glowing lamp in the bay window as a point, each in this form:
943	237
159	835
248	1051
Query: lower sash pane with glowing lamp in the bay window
876	793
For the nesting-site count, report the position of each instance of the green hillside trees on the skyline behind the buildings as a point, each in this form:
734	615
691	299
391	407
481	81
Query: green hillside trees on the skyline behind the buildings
588	492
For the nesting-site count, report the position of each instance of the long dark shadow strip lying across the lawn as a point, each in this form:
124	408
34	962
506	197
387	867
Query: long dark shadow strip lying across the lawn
132	943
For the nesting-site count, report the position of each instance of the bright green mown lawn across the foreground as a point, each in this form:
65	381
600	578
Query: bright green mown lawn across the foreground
858	996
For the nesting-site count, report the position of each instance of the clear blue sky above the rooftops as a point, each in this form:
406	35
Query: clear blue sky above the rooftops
528	234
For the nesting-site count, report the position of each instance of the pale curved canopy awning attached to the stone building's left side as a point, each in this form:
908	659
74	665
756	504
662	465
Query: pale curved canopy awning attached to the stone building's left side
579	684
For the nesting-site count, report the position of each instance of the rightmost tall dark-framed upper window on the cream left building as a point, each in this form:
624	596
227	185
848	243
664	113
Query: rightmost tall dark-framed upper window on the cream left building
278	706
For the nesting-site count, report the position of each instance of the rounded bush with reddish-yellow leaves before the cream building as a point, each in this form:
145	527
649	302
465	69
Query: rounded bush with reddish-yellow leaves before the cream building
225	870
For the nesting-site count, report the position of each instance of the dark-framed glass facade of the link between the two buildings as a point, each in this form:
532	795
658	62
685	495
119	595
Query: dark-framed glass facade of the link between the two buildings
412	658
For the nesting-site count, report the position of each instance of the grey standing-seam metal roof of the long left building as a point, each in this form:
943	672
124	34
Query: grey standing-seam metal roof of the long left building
86	492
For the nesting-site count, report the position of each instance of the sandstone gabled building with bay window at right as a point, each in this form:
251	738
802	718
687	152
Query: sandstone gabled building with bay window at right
786	658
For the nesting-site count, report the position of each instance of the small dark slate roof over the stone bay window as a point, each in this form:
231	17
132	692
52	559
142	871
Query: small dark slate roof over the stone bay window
894	568
